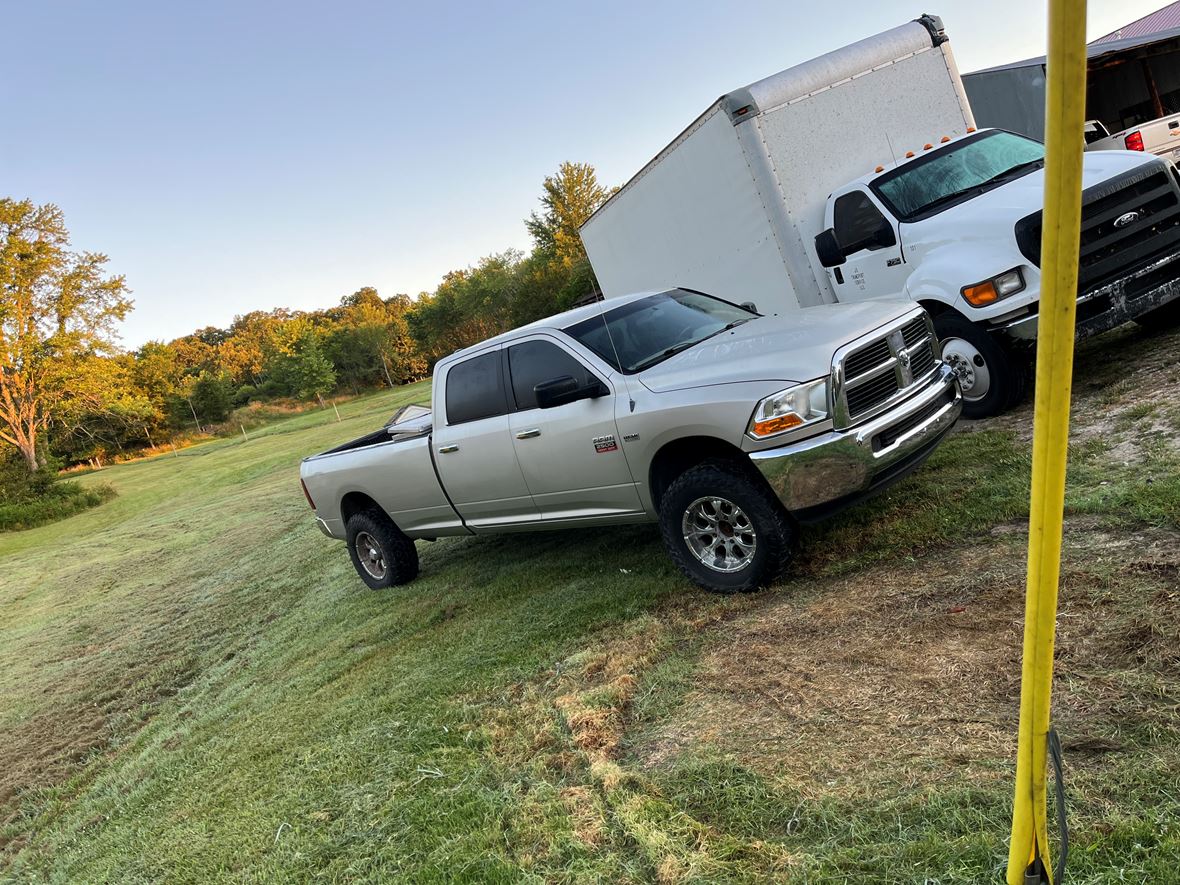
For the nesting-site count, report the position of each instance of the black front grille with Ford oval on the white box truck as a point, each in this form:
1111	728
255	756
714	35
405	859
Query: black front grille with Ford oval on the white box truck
1126	224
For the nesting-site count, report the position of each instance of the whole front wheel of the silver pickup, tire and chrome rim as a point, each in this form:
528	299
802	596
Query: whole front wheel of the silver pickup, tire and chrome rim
725	529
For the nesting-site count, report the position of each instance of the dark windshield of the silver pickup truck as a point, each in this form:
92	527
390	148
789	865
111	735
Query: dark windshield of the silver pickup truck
650	331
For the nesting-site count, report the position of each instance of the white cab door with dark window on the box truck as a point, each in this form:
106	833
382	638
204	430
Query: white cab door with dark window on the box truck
875	266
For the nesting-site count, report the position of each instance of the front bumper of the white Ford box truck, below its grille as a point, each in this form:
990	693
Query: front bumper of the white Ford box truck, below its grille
1110	306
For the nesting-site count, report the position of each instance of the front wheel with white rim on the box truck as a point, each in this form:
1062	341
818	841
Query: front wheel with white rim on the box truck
992	378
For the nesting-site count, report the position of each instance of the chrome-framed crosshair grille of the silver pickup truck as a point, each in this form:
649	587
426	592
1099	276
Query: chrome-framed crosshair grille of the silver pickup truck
887	369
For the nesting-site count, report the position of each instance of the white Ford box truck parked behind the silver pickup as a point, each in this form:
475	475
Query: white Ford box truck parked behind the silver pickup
861	175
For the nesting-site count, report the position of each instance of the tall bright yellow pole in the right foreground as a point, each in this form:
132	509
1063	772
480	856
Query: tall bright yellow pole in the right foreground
1065	116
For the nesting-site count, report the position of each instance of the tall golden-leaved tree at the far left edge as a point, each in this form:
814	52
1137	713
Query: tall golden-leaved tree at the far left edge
55	305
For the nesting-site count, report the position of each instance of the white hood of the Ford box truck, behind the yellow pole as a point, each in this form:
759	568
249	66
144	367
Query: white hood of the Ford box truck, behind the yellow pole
997	212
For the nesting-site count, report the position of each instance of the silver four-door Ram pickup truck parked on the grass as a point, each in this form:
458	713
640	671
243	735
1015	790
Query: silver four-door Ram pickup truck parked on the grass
726	428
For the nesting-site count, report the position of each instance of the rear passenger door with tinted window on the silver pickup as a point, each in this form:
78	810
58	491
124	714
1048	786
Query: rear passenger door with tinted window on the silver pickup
474	449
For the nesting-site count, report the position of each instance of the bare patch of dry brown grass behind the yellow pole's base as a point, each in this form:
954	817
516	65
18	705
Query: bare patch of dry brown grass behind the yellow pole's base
913	676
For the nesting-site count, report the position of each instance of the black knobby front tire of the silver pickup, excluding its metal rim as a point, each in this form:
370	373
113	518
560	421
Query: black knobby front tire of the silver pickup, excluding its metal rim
732	482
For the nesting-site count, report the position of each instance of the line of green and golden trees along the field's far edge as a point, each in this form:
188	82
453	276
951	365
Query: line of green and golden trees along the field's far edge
69	394
